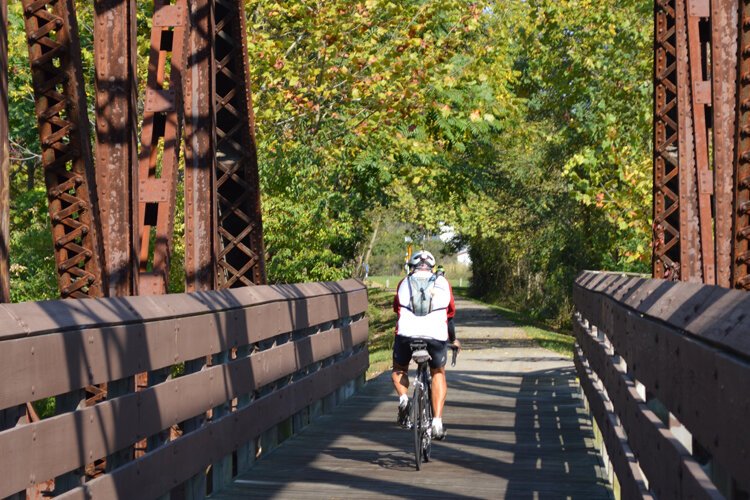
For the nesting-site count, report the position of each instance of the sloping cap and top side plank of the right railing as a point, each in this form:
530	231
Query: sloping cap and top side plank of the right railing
688	344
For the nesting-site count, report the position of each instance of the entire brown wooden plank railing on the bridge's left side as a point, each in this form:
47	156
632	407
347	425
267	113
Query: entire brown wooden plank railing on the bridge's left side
223	368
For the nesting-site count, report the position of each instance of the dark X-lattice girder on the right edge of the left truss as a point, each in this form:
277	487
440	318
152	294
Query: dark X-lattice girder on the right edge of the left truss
241	256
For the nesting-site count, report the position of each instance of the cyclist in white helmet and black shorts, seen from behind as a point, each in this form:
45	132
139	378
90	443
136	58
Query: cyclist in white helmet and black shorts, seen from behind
424	303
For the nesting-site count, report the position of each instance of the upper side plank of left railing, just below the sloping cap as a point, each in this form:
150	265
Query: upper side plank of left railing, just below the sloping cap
41	366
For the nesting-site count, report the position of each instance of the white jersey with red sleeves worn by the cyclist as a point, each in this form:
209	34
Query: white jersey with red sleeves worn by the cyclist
433	325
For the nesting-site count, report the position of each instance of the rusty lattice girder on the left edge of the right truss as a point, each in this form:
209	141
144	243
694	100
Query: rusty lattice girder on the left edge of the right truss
666	256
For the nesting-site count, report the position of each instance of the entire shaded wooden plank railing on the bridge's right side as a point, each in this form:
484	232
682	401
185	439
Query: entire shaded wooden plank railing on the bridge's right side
665	368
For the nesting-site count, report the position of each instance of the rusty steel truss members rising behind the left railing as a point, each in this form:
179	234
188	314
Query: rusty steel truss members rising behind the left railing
113	208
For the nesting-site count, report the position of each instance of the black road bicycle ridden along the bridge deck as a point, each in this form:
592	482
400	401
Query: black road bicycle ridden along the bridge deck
421	402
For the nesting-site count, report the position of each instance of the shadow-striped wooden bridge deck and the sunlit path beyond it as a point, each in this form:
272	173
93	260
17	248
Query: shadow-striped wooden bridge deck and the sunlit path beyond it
516	429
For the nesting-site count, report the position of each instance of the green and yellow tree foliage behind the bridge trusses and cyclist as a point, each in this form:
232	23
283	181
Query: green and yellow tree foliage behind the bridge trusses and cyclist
523	124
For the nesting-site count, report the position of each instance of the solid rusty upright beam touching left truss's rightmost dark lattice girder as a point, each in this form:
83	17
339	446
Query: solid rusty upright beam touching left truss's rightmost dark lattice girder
200	155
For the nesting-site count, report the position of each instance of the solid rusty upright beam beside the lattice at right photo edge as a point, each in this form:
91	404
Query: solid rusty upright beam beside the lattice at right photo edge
724	76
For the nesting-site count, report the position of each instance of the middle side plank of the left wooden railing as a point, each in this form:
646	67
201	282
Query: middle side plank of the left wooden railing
68	441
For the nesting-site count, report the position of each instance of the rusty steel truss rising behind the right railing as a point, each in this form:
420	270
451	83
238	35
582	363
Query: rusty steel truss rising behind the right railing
702	141
